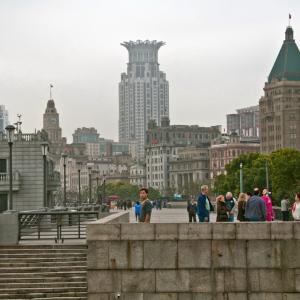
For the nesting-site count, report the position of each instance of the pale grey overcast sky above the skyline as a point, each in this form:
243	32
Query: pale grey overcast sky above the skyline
217	56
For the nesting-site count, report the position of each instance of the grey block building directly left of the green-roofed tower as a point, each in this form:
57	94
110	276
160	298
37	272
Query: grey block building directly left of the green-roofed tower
245	122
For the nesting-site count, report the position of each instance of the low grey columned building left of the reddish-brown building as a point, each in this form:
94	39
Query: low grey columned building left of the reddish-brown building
191	165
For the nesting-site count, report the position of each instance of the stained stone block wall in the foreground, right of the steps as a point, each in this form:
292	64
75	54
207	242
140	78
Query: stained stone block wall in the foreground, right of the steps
223	261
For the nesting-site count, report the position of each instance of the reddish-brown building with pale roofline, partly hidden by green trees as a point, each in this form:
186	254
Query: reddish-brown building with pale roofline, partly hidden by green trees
227	148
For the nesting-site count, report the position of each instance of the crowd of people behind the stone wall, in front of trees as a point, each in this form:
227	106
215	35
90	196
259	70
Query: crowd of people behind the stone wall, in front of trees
251	207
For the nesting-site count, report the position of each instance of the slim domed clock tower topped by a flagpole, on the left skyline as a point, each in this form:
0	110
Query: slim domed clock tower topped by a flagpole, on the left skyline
51	122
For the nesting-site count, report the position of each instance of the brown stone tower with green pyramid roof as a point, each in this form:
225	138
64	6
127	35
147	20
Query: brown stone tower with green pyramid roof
280	106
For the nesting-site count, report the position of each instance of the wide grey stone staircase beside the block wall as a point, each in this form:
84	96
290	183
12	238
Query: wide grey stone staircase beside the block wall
48	272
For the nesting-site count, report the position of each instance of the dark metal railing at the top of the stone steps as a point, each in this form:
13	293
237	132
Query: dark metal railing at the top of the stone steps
56	226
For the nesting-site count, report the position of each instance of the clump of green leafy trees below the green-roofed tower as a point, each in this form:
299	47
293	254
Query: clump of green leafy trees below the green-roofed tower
284	174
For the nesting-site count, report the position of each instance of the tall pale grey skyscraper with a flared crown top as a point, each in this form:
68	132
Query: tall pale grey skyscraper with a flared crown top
143	94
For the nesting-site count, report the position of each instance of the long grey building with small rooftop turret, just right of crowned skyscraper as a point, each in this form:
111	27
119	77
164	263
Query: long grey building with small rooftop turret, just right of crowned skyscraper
163	144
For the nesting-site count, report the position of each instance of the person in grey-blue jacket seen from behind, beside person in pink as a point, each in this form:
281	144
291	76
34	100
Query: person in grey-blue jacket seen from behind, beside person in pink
255	210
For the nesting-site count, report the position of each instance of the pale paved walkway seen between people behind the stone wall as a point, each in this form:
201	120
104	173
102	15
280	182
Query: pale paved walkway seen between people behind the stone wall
169	215
